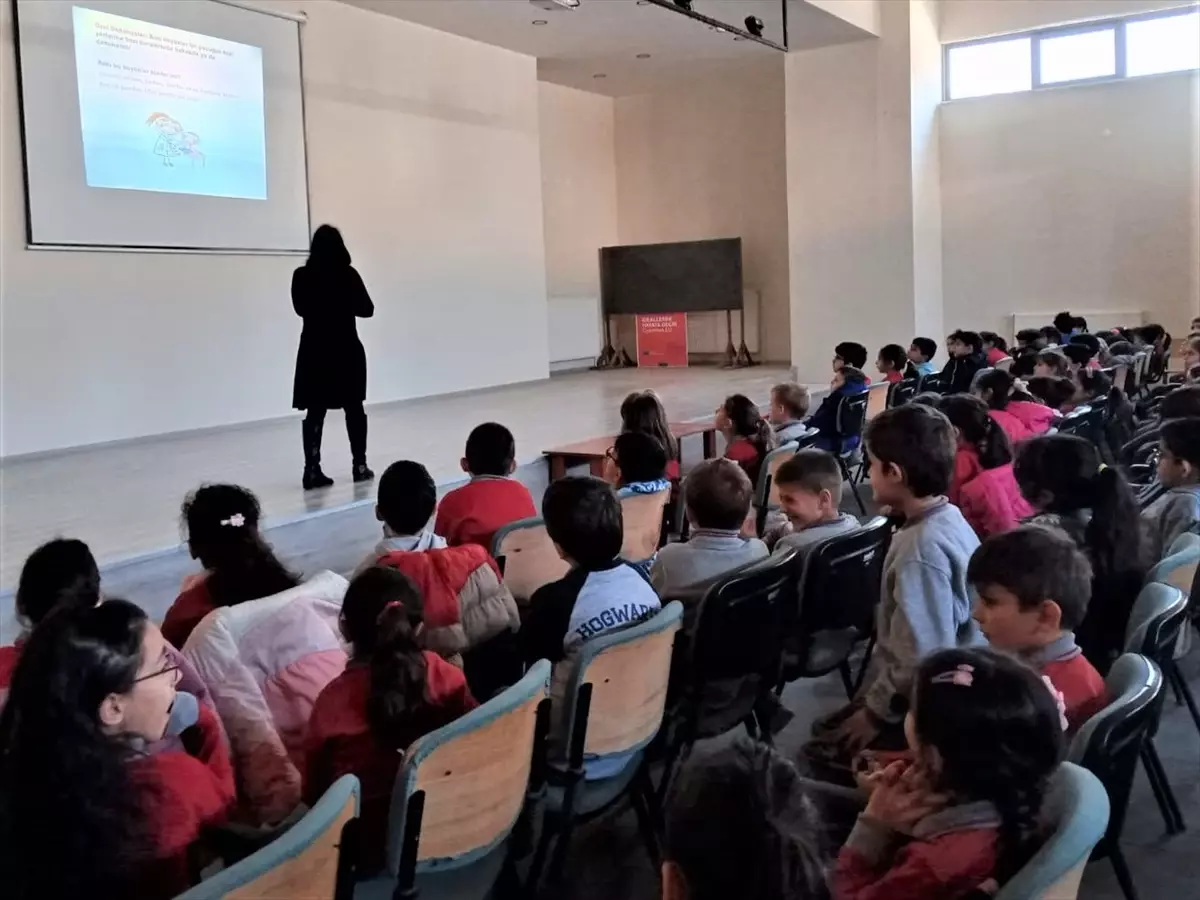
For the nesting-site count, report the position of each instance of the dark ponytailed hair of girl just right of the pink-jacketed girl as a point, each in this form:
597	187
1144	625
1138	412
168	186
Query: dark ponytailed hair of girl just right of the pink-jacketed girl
1065	475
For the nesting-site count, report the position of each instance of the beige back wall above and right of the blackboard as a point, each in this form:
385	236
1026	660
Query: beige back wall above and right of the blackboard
709	160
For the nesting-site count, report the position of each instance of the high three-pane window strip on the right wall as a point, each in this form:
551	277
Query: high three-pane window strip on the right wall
1117	49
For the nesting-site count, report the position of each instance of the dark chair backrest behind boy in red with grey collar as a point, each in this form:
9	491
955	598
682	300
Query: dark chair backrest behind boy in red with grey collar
1111	742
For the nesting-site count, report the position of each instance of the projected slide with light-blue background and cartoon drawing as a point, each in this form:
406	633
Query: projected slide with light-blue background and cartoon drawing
164	110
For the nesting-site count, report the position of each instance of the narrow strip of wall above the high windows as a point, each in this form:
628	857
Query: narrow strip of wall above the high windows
967	20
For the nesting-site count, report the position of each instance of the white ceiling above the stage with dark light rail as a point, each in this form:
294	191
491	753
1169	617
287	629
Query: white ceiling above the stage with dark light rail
605	37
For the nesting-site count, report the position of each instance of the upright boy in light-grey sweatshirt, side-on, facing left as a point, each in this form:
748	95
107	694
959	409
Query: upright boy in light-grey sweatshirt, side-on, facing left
926	604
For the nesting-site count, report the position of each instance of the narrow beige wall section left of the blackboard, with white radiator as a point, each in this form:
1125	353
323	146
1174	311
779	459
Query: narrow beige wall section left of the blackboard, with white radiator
579	179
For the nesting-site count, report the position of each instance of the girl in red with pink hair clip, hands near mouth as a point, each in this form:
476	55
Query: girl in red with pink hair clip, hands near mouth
986	734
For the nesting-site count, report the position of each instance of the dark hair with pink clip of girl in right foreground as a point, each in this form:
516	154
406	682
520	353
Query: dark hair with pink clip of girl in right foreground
999	735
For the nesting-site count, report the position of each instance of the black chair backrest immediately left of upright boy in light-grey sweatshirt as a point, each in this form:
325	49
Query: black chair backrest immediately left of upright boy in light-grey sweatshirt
839	585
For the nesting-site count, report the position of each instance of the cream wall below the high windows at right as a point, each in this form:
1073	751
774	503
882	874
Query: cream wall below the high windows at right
1073	199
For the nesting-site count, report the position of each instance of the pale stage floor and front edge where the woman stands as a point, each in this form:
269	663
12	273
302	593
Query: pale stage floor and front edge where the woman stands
124	499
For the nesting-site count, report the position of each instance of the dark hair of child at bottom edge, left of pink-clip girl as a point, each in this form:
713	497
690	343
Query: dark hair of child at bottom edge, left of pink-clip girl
740	825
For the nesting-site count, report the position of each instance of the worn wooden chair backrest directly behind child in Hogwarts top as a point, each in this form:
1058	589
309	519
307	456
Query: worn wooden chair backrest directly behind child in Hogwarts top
625	676
